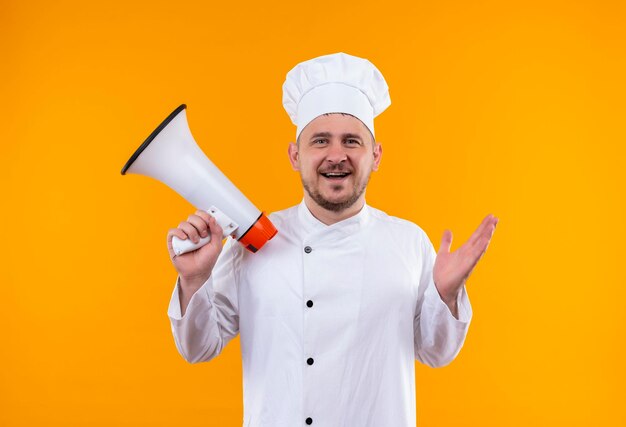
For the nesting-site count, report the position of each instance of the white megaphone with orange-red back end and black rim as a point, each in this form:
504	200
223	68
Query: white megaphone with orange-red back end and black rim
171	155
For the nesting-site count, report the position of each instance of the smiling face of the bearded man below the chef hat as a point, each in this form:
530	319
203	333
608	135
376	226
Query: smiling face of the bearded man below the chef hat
335	156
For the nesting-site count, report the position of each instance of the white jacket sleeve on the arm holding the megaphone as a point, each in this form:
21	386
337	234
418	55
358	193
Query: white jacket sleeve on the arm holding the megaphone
212	316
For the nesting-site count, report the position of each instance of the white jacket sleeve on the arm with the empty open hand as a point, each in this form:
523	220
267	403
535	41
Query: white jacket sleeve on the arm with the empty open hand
439	336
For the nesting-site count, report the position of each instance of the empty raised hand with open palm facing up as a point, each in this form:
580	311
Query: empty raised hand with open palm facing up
452	269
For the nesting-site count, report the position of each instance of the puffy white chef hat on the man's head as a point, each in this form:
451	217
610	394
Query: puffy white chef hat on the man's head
337	83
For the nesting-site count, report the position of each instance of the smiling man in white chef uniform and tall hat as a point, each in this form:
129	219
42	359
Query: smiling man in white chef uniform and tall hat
335	309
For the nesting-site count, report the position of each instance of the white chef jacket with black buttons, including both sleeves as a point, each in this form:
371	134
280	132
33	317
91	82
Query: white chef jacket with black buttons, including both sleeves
331	319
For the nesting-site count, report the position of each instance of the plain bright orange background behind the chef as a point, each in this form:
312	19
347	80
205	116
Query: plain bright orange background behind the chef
515	108
